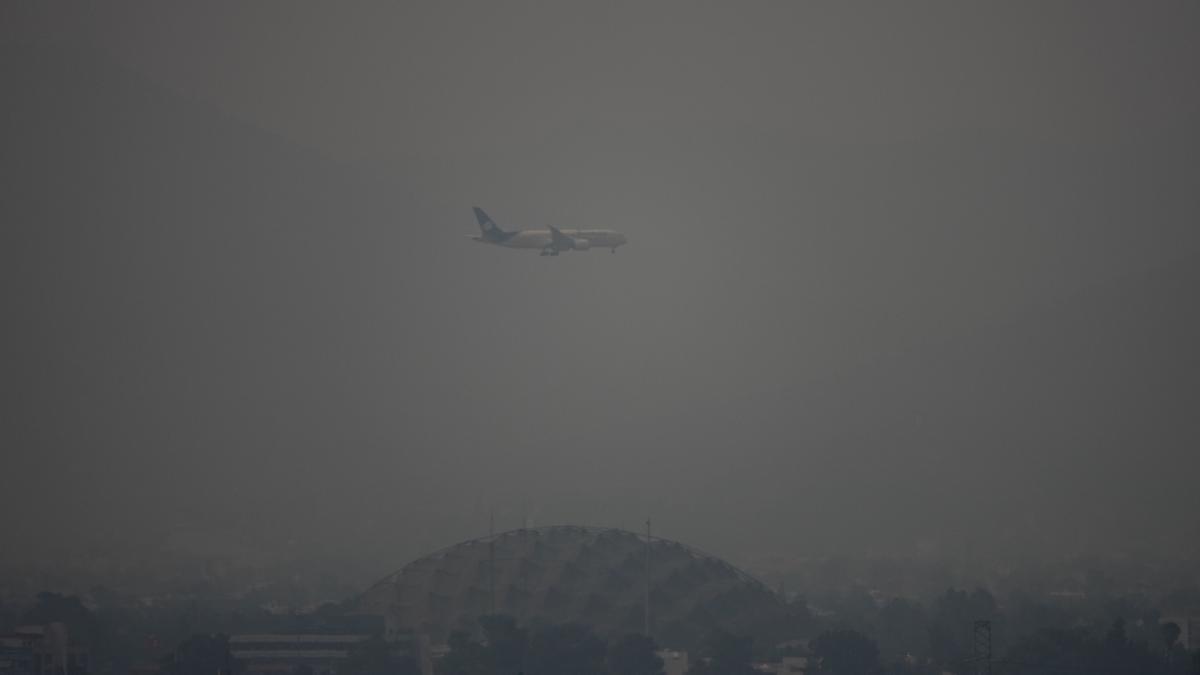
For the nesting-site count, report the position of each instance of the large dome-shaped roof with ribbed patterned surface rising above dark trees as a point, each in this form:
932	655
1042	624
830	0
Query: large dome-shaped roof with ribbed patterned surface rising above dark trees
566	574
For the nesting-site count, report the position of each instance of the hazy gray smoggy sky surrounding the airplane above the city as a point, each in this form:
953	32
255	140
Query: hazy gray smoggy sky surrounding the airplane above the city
897	273
